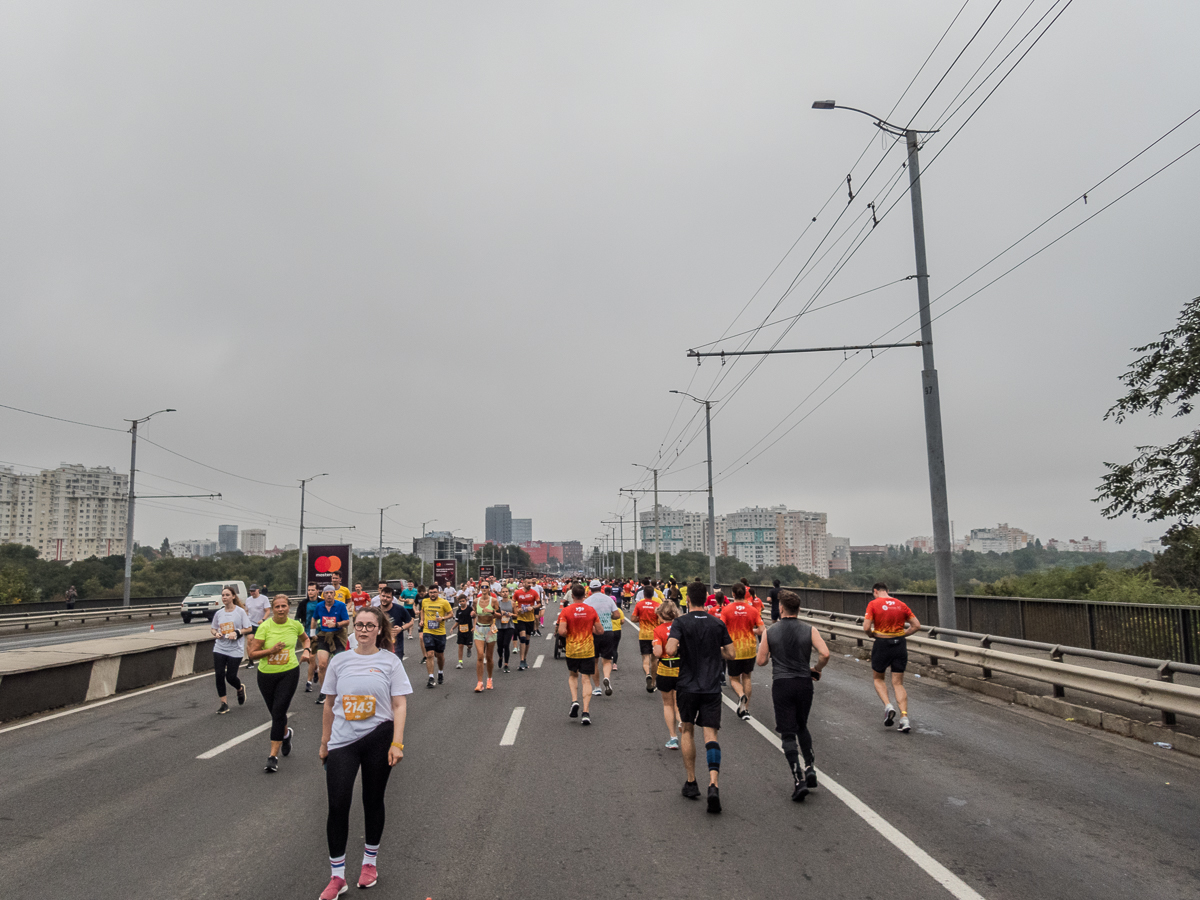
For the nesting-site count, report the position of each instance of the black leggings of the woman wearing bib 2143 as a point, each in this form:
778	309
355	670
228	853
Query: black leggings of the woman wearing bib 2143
341	769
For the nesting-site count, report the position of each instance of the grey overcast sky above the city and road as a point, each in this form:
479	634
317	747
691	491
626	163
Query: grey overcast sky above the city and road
454	255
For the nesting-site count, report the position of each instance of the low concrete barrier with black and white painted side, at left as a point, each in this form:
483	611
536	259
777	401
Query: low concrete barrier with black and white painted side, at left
43	679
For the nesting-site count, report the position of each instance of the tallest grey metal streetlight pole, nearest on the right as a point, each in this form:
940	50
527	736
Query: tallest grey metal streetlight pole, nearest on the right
944	560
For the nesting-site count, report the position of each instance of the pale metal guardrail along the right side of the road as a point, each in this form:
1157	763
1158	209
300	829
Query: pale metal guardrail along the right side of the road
1161	693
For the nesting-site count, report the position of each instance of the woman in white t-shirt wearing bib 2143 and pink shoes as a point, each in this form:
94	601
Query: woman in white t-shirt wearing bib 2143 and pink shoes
363	728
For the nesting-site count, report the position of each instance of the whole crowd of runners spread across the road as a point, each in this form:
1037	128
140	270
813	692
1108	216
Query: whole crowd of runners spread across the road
693	643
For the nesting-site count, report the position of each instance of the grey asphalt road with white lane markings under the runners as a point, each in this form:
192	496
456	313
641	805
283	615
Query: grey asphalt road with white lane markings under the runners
112	802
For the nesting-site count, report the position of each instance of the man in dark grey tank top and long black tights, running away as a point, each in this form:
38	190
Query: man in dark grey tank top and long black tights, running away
789	647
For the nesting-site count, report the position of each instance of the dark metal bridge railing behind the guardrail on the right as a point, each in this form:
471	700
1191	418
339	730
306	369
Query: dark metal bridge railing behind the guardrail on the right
1159	632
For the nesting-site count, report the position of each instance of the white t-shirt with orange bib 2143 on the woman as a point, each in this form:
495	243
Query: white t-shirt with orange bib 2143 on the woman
363	687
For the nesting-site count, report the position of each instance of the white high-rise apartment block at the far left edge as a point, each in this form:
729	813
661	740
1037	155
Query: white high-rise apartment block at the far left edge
68	514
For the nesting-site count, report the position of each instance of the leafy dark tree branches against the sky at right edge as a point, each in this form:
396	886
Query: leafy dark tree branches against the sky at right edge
1162	482
